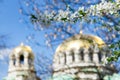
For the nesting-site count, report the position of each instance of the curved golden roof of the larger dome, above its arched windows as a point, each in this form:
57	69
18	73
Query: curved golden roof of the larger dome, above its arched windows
80	41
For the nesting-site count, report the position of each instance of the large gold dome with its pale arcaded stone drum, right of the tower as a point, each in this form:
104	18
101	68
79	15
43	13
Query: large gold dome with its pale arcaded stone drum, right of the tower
82	56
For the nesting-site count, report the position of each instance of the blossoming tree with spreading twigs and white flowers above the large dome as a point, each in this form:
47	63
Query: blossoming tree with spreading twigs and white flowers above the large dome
60	19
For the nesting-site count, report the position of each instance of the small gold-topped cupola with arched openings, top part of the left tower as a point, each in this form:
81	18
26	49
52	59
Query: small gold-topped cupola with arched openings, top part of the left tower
21	58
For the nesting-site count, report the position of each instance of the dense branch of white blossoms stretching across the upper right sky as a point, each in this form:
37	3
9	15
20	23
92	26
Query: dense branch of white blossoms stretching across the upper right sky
99	10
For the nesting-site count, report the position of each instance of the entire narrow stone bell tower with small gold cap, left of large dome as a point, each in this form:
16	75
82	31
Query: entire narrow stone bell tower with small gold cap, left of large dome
21	64
